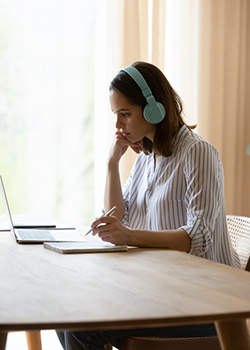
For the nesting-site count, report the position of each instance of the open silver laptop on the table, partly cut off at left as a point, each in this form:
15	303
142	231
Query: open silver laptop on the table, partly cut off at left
38	233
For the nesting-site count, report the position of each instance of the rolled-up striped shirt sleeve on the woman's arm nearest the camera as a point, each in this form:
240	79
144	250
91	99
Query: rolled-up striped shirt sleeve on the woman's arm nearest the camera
205	180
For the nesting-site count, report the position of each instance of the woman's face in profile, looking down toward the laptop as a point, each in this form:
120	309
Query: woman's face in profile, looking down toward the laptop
130	121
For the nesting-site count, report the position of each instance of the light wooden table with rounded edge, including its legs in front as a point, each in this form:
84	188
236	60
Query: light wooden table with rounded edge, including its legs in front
41	289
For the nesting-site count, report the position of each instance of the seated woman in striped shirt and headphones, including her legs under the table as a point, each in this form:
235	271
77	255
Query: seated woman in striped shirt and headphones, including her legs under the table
174	197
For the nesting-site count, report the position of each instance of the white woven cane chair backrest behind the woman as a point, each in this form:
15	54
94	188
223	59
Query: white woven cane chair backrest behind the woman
239	231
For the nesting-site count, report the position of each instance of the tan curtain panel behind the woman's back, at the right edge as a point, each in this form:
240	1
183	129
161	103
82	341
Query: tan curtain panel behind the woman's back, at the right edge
222	100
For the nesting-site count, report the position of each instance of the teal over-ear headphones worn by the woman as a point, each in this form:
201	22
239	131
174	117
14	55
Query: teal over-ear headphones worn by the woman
154	112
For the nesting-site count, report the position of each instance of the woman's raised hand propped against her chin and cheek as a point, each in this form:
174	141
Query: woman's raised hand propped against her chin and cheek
120	146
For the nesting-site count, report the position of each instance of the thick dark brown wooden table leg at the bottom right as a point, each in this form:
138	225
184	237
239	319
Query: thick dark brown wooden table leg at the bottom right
233	334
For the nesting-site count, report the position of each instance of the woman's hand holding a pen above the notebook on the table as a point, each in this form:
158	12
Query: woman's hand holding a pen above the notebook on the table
110	229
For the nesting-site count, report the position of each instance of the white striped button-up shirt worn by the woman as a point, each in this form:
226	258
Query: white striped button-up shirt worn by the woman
186	190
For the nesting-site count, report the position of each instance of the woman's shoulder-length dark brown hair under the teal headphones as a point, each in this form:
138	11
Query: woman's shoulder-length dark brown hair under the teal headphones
164	93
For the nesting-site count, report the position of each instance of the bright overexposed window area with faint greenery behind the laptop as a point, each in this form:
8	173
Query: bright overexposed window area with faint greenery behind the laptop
47	50
